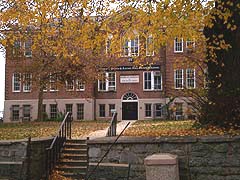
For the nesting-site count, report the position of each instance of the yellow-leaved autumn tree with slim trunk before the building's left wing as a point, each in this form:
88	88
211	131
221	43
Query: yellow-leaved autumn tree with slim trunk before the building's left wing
53	40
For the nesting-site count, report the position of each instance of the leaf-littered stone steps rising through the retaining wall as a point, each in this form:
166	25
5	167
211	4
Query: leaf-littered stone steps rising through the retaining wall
74	159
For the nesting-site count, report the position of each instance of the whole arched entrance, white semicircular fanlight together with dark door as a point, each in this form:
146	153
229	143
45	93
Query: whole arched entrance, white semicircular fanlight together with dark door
129	106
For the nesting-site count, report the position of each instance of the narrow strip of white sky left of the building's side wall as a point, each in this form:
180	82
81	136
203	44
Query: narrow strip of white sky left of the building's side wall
2	81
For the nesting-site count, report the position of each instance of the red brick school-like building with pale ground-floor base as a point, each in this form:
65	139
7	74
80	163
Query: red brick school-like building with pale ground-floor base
135	92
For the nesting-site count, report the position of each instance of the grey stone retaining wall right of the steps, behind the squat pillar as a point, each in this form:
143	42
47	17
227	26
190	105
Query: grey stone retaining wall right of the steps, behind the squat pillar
203	158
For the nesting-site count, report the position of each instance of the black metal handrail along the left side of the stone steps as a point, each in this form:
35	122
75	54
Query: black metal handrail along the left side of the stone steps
54	150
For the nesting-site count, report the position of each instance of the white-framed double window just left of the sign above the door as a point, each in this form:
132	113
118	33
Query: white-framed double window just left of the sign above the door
108	82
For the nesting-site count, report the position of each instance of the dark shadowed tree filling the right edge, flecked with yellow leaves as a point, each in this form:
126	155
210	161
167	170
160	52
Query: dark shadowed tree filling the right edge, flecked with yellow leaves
223	55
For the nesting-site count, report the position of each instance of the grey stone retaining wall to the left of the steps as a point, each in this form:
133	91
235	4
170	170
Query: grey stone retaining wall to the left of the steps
14	151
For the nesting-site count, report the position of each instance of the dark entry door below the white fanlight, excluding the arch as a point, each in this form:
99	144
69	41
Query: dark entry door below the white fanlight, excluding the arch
130	110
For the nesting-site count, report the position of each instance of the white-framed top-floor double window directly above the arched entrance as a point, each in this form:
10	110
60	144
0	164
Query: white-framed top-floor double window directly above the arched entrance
129	47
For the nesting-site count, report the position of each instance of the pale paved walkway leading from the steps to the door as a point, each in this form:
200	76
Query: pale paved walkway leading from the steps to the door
102	133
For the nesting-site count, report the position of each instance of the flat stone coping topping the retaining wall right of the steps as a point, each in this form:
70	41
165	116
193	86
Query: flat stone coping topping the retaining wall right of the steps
156	140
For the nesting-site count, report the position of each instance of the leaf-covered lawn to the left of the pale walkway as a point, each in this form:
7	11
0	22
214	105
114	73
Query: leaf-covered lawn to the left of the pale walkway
46	129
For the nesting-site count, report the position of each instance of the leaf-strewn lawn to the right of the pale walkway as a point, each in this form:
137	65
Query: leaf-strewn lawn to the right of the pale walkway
155	128
